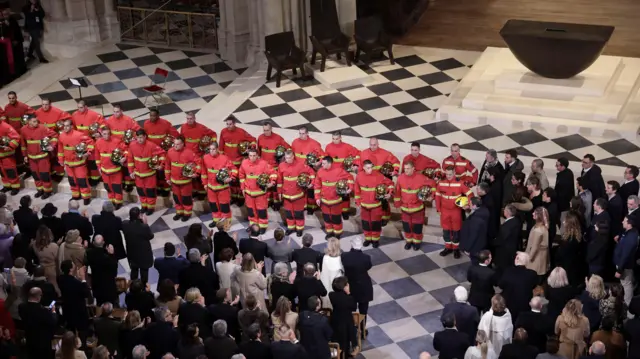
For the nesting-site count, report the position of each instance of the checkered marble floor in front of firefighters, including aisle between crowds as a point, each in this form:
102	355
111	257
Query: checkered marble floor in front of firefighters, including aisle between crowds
410	287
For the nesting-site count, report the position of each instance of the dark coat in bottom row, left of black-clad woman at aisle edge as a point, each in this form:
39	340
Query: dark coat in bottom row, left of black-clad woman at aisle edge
315	334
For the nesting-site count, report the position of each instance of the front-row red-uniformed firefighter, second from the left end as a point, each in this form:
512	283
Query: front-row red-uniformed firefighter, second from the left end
38	160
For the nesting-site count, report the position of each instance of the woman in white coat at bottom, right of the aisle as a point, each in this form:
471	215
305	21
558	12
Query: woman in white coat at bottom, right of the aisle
497	324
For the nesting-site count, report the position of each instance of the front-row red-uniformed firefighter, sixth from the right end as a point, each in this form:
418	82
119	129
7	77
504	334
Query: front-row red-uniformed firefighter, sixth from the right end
255	196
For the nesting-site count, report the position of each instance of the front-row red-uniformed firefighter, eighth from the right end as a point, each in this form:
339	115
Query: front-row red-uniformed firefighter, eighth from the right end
177	158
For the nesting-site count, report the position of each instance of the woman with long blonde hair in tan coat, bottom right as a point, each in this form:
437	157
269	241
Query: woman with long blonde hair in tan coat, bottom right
572	329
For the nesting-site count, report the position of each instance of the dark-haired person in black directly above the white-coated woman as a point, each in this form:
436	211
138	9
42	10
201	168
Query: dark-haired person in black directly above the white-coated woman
482	279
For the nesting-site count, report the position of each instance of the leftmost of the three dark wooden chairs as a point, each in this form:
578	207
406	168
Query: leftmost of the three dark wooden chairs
283	54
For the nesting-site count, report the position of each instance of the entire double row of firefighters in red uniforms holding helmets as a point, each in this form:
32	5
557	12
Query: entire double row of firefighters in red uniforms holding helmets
233	168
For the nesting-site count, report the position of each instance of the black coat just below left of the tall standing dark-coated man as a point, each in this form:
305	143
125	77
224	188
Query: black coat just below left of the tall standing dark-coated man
104	270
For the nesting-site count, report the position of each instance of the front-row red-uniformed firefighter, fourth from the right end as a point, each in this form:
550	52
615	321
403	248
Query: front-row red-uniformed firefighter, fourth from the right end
327	198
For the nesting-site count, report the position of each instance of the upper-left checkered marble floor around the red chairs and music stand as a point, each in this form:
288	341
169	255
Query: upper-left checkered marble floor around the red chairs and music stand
117	73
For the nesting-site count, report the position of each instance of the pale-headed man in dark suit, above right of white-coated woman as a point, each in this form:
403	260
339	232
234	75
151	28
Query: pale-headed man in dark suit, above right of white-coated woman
517	285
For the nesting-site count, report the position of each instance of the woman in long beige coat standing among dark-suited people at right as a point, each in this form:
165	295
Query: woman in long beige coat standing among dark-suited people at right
538	243
